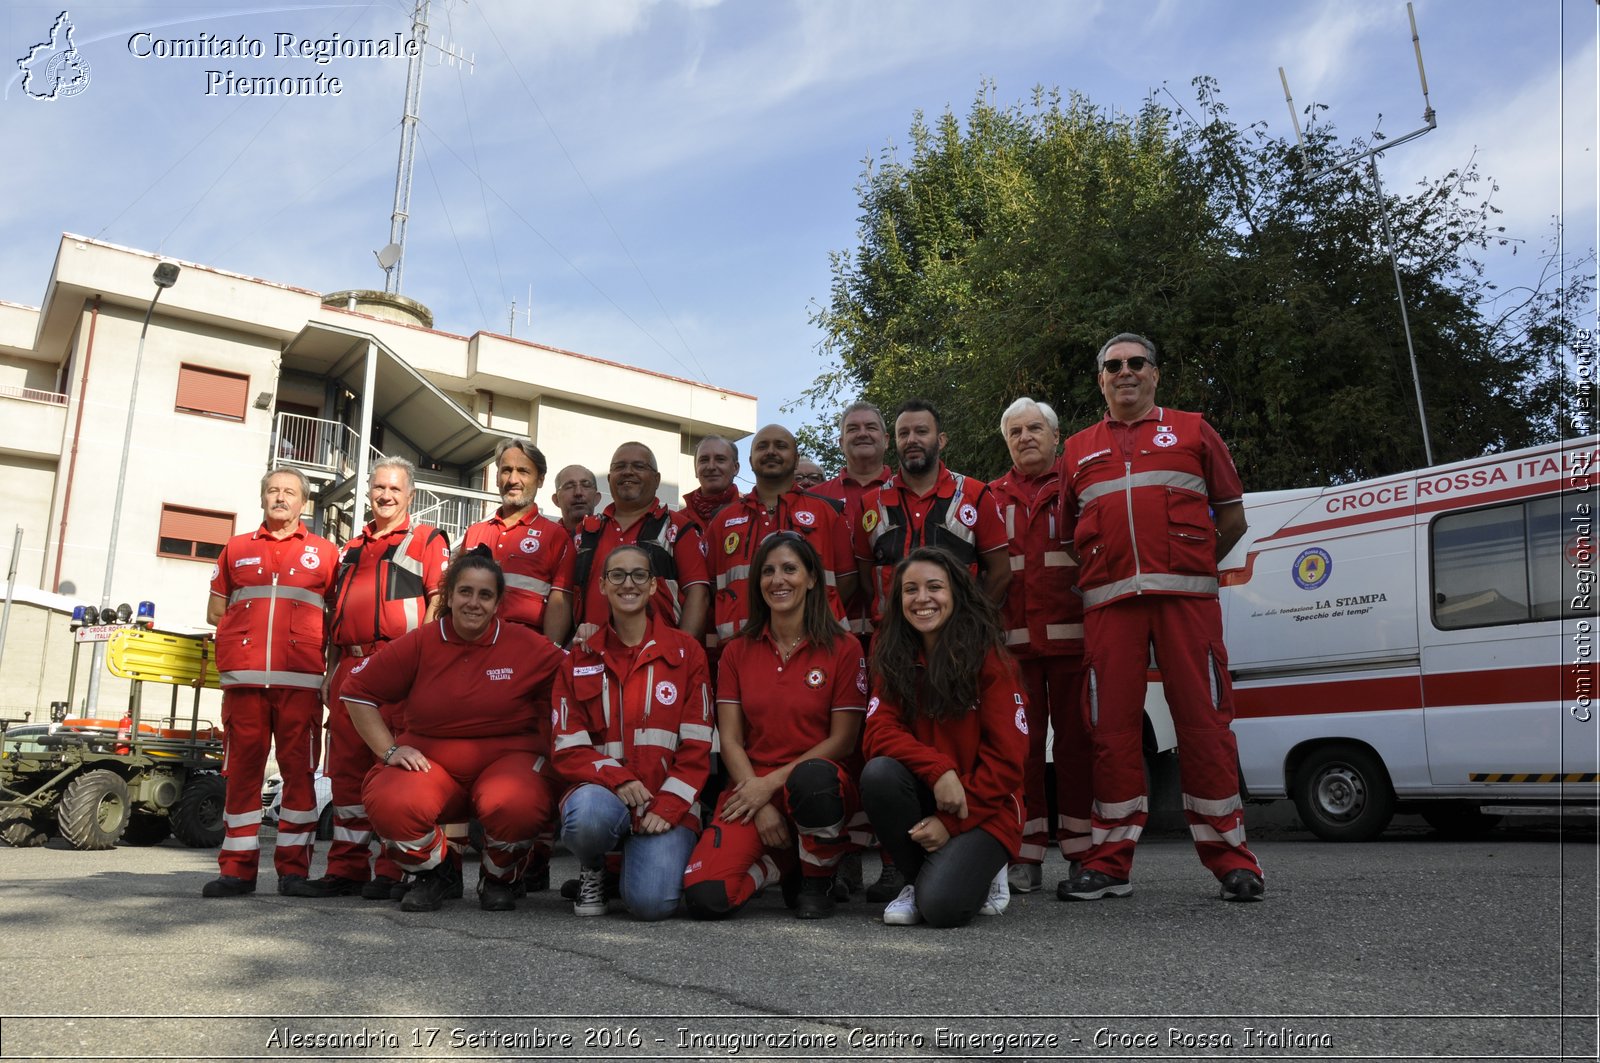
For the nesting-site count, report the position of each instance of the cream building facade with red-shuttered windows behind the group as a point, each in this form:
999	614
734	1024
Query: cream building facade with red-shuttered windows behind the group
241	375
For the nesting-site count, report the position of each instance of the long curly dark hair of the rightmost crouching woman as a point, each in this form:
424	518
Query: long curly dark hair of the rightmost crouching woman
942	683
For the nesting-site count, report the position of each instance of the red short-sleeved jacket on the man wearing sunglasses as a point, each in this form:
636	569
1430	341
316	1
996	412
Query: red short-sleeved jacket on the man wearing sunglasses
1138	500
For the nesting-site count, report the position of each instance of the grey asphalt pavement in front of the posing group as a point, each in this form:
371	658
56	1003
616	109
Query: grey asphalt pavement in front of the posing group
1410	947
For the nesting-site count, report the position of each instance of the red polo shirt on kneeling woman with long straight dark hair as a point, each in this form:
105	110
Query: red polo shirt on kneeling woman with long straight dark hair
790	708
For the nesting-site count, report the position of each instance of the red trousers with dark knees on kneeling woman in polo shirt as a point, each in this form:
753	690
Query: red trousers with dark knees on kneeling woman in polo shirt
735	856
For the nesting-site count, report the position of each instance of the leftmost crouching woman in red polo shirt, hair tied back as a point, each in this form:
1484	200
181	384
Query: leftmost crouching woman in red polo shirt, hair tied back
476	699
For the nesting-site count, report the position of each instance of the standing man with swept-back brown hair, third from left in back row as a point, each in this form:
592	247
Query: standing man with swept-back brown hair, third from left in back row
535	552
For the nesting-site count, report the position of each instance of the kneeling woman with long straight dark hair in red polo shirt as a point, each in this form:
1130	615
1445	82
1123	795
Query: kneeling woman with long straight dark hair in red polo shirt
790	700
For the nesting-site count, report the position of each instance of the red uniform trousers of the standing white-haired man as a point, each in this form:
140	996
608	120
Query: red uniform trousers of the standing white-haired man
1055	696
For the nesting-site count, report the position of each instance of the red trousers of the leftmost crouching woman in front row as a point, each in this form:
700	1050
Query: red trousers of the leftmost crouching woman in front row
492	780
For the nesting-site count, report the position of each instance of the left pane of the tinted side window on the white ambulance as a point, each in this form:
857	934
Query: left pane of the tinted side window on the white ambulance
1481	569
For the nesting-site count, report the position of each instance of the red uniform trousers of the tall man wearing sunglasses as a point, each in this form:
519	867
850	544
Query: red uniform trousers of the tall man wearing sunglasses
1188	638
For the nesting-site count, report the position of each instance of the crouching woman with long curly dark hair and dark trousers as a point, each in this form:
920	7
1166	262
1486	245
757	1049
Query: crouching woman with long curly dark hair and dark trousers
948	737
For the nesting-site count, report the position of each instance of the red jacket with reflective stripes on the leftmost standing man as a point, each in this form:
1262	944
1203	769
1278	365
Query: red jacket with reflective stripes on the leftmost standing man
271	635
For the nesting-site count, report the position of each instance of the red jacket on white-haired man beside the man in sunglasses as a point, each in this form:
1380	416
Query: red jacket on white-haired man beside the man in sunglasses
1042	612
